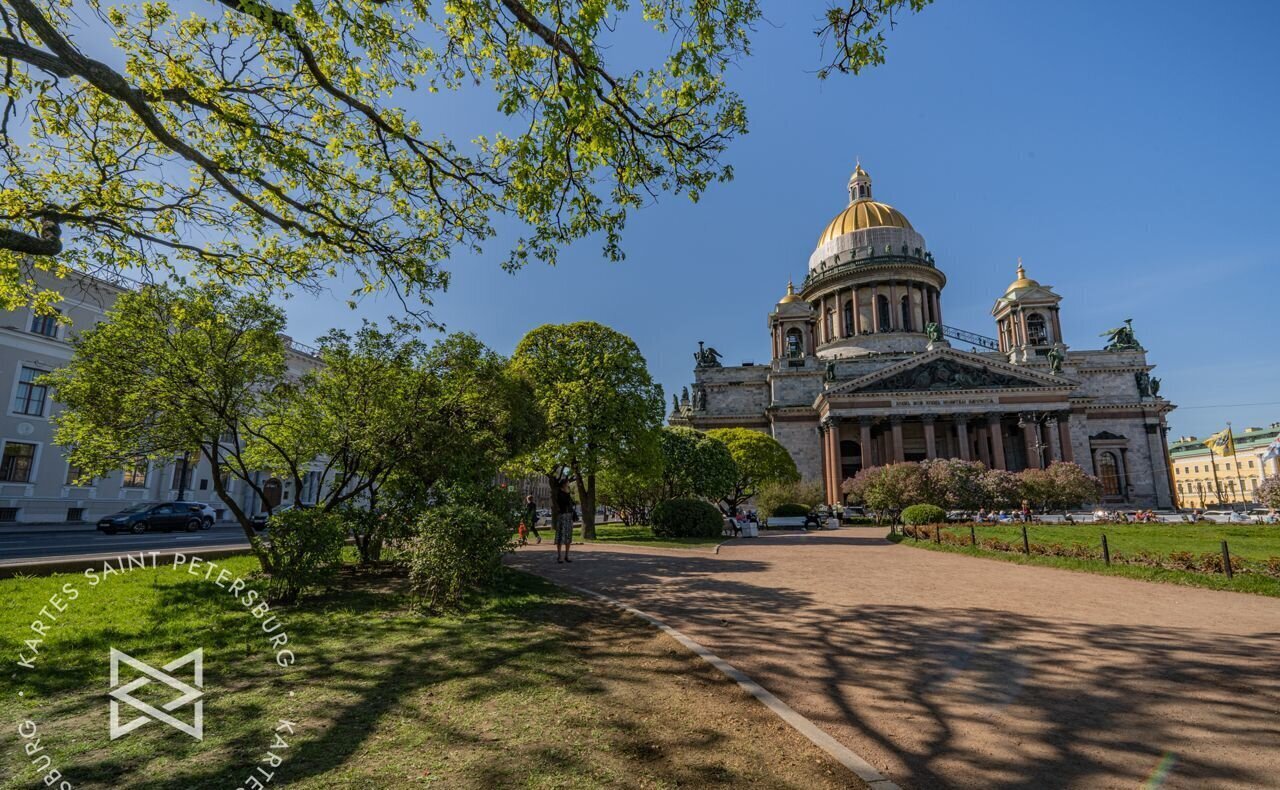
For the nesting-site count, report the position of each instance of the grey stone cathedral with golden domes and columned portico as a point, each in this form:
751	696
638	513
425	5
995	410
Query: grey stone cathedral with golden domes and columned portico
863	373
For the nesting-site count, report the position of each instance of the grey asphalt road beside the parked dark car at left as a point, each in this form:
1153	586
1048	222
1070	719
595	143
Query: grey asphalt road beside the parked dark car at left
49	544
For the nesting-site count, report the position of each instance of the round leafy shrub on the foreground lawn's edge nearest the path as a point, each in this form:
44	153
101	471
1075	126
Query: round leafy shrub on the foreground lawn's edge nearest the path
456	549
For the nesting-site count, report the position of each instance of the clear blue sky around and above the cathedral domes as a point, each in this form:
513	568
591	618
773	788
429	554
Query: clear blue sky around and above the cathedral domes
1127	152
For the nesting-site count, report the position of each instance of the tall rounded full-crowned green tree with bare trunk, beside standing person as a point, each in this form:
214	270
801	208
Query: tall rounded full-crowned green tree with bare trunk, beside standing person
598	401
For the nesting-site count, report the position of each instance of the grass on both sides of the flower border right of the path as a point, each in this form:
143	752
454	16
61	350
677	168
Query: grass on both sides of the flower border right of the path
1250	542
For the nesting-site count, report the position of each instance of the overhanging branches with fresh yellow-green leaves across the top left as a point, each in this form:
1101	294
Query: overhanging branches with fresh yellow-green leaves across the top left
263	144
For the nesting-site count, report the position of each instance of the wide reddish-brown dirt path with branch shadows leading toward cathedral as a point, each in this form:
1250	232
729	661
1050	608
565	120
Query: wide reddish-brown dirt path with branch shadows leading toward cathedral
950	672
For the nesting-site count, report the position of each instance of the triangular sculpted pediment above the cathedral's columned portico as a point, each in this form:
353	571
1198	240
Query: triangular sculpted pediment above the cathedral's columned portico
945	371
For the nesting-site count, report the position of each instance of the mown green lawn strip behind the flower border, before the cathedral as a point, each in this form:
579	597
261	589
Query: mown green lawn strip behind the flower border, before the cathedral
1252	542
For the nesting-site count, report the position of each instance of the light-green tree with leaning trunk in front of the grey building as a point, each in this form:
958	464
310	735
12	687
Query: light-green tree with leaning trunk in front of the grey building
172	372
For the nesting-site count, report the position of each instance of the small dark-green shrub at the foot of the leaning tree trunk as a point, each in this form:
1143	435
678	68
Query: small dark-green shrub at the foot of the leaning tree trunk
304	547
